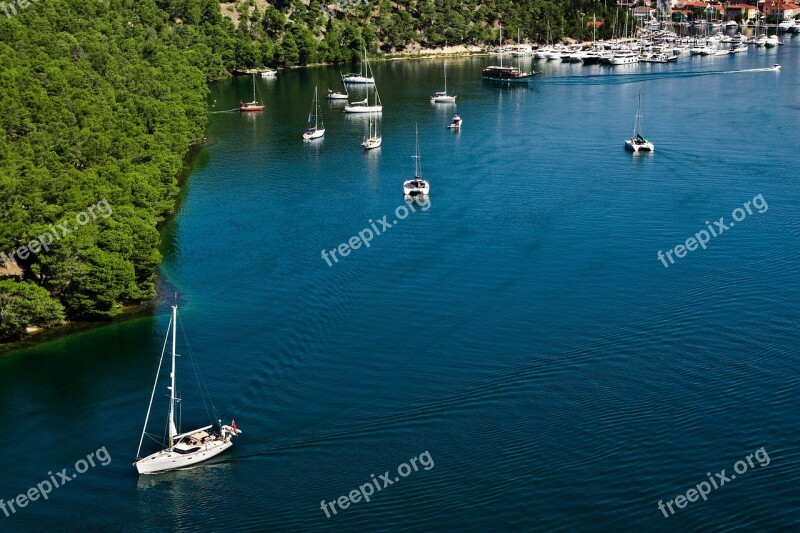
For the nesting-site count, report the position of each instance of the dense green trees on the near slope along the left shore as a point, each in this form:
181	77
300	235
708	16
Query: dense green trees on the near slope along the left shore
101	100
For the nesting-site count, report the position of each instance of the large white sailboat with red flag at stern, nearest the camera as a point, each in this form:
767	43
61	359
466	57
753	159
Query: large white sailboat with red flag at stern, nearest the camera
182	449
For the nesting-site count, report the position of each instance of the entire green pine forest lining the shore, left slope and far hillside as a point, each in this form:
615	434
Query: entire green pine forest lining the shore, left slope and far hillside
103	99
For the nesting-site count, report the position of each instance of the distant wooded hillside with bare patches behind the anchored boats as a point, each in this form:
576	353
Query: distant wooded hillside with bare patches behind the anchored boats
299	32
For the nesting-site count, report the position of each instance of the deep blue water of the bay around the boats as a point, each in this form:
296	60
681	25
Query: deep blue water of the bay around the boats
521	329
